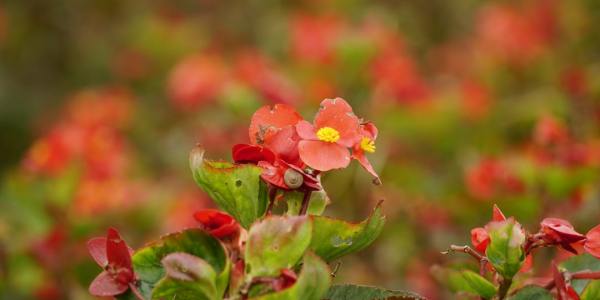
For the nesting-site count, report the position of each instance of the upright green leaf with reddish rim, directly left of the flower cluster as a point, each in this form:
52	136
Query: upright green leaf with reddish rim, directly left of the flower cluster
237	189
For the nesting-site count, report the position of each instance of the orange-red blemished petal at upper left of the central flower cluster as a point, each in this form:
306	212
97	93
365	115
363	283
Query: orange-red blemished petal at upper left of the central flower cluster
269	119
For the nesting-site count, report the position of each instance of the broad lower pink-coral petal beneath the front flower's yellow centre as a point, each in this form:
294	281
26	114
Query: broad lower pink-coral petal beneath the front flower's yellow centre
323	156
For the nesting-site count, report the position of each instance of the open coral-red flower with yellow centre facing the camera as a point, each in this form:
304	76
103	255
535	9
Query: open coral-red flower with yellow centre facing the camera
324	145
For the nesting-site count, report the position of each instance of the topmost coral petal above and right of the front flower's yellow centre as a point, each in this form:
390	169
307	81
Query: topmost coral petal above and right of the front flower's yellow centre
337	113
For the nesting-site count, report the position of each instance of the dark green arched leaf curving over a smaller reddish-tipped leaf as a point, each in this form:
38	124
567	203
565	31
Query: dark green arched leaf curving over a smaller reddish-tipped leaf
147	262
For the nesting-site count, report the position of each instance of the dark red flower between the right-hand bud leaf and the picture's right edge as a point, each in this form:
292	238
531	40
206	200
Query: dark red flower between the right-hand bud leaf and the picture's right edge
559	231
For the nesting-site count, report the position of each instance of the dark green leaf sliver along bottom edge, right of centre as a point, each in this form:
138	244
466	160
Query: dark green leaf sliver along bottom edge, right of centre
361	292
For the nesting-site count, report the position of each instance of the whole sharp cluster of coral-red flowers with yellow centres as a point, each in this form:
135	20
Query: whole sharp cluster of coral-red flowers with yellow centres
293	152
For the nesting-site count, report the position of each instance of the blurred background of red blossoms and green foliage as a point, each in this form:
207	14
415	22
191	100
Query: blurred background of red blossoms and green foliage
477	102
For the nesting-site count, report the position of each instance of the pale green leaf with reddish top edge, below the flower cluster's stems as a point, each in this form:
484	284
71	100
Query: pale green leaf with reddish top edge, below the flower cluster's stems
275	243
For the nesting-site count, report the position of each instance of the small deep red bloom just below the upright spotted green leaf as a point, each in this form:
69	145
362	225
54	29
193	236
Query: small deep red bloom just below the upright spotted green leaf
218	224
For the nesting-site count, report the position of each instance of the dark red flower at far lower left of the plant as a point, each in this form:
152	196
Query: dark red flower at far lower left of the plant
114	256
